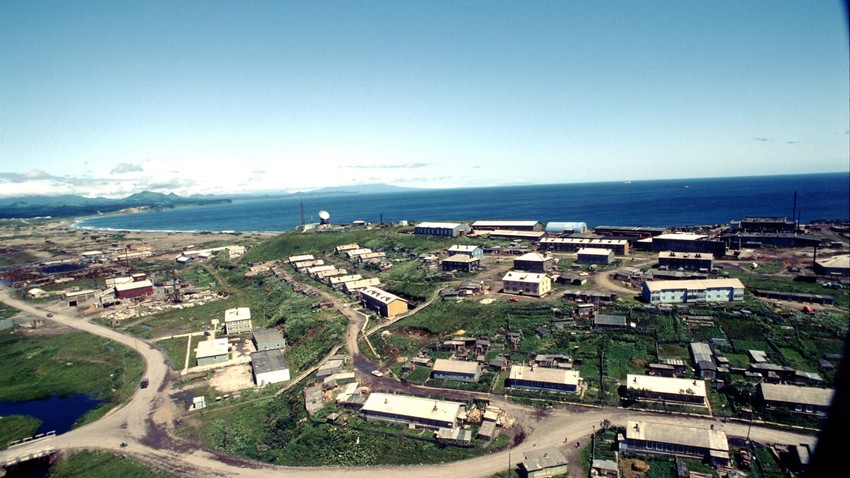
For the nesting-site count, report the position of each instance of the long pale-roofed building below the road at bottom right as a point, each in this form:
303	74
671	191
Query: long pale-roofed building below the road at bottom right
688	442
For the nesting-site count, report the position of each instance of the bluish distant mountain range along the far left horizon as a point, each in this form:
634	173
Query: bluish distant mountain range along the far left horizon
71	205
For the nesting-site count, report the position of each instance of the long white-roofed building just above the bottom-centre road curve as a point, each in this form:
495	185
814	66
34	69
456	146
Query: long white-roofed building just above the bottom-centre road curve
415	411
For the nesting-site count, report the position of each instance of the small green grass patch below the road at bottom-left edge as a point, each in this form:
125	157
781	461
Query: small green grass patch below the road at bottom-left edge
101	464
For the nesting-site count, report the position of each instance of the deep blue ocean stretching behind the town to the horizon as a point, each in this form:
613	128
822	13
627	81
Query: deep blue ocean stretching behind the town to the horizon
661	203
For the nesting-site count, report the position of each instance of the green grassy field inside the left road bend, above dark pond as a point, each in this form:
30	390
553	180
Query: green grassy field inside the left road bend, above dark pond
34	367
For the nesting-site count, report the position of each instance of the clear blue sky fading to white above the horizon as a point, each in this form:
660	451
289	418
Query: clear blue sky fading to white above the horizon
108	98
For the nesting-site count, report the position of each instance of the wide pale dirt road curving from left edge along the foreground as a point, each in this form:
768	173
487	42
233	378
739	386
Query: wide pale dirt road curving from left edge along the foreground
145	420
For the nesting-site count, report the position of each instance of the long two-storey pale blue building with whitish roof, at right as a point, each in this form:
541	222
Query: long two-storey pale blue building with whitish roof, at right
689	291
